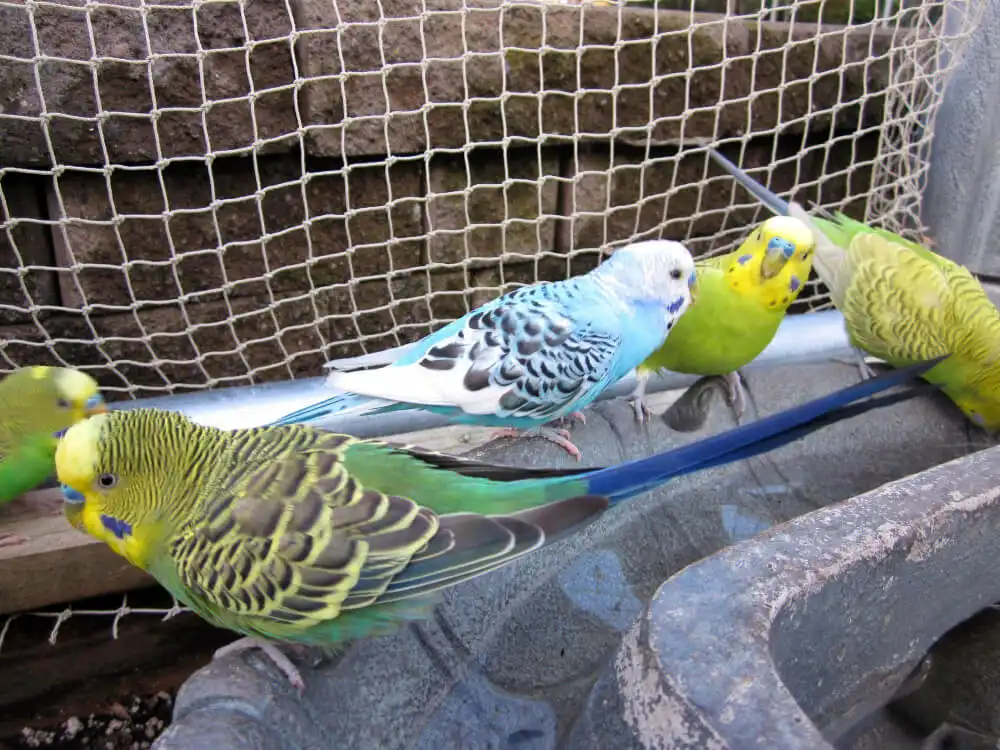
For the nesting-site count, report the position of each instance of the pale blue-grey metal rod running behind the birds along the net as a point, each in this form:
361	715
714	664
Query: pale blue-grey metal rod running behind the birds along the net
801	339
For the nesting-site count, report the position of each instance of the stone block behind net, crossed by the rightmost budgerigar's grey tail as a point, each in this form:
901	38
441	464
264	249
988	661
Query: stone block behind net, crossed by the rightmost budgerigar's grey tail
633	196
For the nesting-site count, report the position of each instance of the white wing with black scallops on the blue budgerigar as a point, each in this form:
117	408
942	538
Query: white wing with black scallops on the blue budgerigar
527	355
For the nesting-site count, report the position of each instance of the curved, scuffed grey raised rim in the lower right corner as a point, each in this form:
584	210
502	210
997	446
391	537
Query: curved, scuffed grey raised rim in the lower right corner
787	641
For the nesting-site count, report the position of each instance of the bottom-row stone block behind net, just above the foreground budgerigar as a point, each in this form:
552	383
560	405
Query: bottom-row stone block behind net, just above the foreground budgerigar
149	351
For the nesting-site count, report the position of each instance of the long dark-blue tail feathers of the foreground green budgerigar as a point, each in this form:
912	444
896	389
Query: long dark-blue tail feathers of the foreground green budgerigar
634	477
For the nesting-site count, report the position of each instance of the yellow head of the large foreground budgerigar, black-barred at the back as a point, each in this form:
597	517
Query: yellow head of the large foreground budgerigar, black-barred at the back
127	477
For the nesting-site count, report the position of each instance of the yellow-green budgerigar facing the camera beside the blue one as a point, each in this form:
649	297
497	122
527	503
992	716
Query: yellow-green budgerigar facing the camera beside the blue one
742	299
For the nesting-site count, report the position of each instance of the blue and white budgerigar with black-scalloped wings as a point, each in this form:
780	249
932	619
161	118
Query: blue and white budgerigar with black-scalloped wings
534	355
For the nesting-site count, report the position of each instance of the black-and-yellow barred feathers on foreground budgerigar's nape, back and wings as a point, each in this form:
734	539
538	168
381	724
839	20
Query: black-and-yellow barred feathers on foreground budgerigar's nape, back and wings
267	532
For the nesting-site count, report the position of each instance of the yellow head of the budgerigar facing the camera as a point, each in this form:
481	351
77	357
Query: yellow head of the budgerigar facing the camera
773	263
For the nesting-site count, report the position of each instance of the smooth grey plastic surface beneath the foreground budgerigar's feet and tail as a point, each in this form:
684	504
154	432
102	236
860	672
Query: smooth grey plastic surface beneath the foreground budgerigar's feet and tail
509	659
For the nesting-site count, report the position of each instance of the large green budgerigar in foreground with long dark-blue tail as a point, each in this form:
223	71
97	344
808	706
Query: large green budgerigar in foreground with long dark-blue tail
302	536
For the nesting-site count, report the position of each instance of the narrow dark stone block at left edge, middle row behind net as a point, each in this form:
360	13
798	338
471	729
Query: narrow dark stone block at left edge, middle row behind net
27	266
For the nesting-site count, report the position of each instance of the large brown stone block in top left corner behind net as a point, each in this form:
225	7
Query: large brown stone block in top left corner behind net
210	77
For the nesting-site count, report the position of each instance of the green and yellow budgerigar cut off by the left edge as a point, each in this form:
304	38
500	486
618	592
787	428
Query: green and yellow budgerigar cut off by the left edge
36	403
